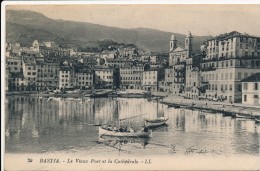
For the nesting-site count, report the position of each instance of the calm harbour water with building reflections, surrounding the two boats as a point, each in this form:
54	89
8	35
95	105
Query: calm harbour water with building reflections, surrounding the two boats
63	125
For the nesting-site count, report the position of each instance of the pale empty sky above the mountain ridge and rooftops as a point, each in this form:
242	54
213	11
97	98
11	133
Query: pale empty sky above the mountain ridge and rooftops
199	19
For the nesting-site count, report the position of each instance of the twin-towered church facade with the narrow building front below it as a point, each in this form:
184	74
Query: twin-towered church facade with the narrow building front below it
177	60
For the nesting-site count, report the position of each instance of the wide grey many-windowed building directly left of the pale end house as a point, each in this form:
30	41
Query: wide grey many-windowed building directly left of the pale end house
131	77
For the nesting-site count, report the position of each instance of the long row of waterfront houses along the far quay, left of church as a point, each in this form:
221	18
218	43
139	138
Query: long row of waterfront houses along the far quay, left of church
31	73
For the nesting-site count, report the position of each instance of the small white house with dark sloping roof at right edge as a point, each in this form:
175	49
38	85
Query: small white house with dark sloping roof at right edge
251	90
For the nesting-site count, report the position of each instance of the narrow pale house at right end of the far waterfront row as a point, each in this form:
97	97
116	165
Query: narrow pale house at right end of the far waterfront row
150	80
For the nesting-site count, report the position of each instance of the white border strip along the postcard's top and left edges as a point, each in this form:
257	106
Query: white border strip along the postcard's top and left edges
3	35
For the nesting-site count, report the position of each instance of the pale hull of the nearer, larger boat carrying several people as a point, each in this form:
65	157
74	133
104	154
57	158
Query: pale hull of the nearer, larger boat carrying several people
139	134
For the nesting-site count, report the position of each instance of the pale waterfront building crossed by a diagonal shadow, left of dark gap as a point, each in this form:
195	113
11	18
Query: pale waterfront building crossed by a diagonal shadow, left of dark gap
103	77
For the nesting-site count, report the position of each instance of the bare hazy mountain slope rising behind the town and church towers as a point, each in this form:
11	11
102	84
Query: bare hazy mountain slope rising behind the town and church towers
25	26
